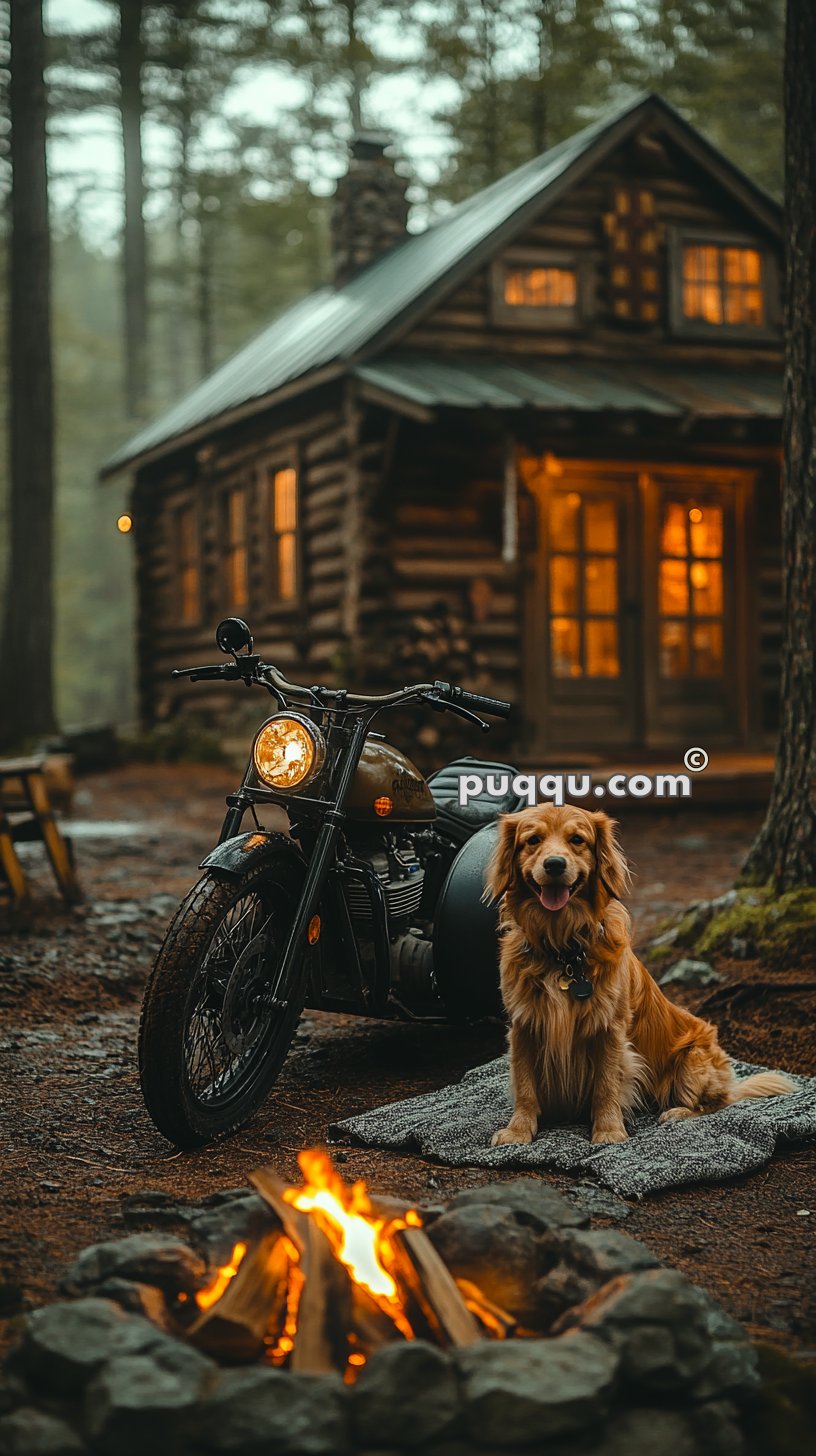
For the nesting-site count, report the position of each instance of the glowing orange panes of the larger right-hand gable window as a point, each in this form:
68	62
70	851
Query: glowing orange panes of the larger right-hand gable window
723	285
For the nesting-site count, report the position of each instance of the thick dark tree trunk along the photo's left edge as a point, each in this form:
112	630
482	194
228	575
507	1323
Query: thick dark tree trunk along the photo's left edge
27	694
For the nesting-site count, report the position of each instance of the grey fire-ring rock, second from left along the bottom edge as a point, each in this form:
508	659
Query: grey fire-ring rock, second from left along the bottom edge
145	1403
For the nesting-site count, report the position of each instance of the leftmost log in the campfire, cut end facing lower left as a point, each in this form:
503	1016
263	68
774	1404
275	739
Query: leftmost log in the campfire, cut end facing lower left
235	1329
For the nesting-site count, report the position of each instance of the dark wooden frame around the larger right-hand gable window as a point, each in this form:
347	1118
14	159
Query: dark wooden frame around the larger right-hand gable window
683	238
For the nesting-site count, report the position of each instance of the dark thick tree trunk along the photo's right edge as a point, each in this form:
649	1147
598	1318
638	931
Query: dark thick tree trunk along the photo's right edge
786	848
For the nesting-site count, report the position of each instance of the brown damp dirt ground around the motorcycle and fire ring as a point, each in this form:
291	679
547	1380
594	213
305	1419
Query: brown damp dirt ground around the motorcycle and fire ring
78	1141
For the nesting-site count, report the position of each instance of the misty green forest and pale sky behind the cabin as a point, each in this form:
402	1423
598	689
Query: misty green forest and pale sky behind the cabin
193	151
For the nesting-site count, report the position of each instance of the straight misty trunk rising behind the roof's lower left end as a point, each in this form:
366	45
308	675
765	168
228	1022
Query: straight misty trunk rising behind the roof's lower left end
135	245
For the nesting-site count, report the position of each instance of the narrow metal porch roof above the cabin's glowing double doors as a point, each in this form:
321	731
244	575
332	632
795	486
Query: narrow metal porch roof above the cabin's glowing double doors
496	384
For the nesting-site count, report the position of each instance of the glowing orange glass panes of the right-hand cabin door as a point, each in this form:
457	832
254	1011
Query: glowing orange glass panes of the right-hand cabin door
690	593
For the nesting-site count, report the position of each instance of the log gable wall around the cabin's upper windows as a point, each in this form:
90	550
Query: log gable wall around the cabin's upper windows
683	199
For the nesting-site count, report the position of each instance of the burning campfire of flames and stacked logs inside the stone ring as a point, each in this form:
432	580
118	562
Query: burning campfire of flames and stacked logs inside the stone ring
342	1275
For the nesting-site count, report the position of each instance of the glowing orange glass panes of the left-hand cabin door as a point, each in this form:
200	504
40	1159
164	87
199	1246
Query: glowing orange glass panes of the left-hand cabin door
584	586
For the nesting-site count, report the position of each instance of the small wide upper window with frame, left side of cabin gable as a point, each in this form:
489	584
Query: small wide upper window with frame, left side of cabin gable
541	290
